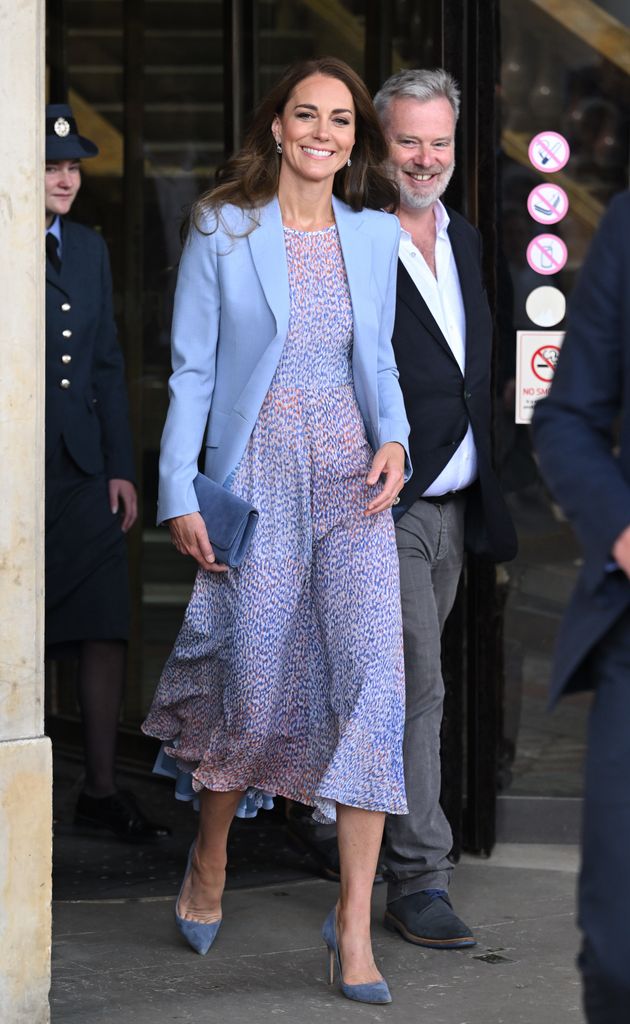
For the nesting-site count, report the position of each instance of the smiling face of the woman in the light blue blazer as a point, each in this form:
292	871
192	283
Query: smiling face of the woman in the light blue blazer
316	130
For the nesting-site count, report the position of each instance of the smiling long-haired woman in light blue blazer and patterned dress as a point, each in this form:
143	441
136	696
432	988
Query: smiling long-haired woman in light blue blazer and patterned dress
287	675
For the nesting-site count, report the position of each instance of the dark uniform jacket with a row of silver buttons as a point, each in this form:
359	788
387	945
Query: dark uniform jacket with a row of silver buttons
87	397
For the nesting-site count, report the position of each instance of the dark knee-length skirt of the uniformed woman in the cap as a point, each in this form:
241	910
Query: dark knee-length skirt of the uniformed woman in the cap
88	586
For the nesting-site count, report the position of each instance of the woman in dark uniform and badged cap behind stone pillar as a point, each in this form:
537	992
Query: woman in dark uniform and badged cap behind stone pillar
91	495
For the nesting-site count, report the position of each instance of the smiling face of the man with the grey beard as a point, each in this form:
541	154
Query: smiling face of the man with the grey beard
422	138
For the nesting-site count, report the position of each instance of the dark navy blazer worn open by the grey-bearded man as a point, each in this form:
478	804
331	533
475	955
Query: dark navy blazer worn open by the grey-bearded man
442	402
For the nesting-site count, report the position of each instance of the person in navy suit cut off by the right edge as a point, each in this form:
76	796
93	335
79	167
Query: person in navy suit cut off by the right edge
582	435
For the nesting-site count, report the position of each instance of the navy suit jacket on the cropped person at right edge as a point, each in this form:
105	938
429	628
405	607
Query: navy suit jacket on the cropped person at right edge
582	435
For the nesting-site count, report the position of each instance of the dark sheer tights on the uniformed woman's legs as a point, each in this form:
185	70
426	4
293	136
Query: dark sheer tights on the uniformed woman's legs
101	686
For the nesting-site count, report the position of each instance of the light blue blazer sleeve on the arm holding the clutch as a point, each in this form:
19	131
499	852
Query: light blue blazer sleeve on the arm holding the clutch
194	345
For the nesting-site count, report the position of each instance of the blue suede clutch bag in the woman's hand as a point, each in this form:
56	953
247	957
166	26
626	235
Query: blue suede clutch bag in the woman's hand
231	522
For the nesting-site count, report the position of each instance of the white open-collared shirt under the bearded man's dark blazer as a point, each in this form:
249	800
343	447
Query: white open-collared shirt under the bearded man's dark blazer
443	295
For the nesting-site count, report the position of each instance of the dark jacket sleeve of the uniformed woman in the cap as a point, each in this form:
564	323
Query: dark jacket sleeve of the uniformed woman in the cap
110	385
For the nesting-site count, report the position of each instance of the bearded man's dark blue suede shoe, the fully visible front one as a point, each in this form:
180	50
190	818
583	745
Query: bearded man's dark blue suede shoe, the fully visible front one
429	920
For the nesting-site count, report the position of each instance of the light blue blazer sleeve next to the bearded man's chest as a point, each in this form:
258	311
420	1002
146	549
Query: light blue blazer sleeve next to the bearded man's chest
394	425
